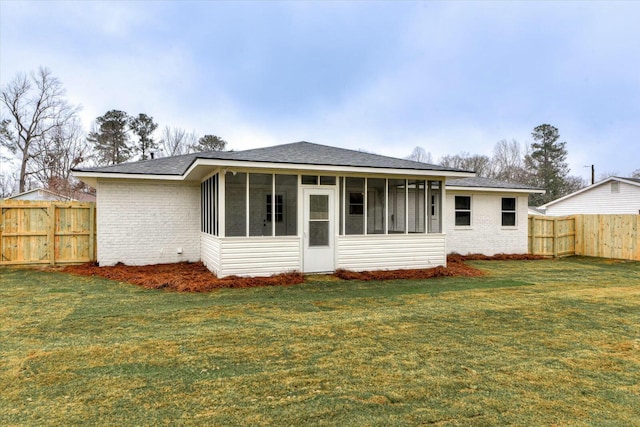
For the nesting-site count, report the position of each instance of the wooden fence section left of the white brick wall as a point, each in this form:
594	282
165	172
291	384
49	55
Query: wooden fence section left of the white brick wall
46	232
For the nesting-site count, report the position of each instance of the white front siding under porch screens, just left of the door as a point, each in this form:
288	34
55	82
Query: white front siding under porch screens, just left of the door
259	256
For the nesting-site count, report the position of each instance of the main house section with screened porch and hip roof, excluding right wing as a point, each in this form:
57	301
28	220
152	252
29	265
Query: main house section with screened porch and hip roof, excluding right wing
300	206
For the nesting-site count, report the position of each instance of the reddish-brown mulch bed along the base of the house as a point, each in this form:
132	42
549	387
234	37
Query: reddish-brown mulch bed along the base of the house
195	277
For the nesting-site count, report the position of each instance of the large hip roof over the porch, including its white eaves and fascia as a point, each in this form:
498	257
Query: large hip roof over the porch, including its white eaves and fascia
290	156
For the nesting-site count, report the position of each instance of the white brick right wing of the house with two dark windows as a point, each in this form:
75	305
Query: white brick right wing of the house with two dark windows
486	216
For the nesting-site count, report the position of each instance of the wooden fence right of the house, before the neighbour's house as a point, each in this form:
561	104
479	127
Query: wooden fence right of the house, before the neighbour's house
606	236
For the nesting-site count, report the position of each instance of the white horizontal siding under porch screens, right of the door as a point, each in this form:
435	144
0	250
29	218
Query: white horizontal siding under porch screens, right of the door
391	252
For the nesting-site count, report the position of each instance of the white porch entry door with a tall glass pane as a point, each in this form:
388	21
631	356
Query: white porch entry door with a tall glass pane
319	230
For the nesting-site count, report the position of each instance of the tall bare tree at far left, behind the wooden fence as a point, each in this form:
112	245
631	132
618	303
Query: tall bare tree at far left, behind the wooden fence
37	108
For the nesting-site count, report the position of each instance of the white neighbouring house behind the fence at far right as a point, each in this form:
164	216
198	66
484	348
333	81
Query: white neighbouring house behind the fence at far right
613	195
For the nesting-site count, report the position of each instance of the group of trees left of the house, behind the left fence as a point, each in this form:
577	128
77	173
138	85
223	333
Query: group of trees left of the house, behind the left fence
42	138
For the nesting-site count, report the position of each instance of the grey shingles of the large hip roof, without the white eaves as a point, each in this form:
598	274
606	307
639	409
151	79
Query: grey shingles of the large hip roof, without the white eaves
302	153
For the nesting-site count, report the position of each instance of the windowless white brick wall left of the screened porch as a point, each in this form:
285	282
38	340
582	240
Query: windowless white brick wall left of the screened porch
146	222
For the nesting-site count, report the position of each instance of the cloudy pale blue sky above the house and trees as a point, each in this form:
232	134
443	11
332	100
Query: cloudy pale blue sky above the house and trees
384	77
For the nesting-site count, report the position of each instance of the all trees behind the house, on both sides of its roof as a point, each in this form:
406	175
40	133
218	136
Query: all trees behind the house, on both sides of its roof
42	139
